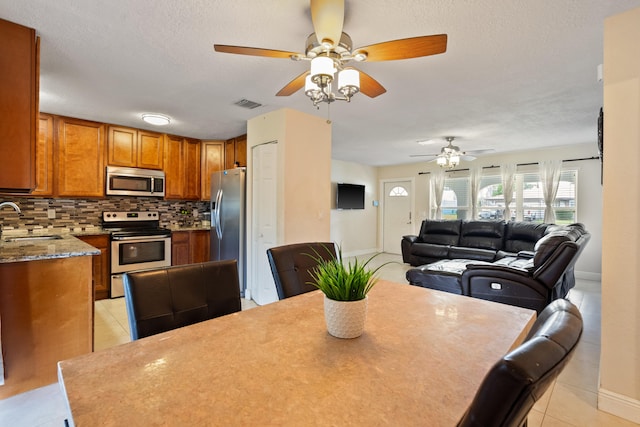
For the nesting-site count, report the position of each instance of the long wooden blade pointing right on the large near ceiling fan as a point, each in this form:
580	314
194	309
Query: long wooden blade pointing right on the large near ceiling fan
413	47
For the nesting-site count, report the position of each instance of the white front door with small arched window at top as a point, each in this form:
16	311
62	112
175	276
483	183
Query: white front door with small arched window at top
397	217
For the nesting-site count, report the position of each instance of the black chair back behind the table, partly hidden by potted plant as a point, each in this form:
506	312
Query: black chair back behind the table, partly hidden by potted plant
291	265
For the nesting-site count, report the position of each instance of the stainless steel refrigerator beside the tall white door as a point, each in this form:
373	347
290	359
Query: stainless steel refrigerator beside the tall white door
228	219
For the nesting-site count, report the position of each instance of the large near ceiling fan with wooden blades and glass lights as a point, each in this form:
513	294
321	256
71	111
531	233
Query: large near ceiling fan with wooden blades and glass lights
335	49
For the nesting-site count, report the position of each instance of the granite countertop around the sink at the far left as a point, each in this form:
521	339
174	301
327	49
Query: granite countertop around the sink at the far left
32	250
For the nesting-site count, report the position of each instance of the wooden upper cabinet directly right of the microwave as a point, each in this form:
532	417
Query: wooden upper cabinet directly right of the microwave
182	168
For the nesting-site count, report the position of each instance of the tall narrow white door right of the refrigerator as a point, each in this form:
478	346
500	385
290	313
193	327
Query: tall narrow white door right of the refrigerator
264	221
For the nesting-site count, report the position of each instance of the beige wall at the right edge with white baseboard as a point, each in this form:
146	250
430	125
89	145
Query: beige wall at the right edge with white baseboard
619	391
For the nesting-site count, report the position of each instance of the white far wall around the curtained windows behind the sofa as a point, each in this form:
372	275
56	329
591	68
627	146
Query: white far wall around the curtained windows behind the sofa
589	197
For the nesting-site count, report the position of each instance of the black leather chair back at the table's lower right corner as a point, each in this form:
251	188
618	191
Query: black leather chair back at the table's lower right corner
519	379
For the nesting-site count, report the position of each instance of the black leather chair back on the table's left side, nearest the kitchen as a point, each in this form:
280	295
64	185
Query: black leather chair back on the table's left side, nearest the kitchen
163	299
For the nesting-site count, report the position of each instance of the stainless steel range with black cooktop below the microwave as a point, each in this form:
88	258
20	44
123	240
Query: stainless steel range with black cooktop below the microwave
137	243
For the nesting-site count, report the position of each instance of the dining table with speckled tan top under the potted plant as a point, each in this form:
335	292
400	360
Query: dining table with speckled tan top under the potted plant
420	361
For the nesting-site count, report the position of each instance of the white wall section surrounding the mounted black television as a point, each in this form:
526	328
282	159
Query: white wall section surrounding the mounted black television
355	230
